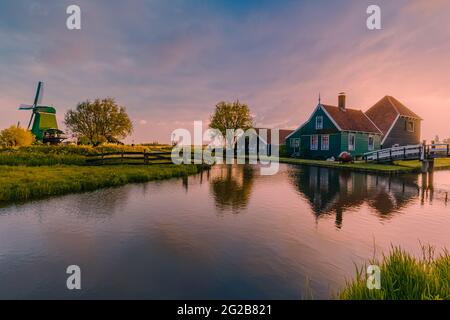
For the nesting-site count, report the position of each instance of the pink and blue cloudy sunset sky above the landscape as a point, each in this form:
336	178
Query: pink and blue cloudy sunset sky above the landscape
169	62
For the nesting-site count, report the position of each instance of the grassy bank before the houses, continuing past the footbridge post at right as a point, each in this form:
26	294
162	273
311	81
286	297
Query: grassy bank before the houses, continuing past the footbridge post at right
398	167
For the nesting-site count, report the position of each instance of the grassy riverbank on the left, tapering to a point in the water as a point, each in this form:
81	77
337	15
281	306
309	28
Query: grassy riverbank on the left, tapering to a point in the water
21	183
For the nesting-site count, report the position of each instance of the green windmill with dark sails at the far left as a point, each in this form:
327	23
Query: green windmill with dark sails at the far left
43	119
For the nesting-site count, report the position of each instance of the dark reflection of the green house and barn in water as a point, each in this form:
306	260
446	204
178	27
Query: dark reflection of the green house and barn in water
332	191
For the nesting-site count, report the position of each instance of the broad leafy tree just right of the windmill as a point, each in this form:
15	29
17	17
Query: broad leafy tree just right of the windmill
99	121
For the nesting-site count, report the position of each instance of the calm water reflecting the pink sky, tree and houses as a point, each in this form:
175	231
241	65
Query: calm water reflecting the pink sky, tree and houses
227	233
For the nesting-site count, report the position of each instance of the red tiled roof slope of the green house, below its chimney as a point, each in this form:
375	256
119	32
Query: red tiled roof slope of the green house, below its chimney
351	119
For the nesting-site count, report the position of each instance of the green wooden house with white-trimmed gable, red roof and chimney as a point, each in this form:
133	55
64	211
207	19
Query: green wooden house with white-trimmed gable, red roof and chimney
331	130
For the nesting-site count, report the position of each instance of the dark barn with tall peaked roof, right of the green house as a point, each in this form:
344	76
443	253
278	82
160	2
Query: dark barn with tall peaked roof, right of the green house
400	125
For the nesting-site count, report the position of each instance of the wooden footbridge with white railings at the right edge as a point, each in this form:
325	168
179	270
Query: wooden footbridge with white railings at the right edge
423	152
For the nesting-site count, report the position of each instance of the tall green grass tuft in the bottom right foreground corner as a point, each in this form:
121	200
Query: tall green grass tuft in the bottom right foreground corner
404	277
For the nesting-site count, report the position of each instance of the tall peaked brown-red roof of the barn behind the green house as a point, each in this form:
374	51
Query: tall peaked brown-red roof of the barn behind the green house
384	112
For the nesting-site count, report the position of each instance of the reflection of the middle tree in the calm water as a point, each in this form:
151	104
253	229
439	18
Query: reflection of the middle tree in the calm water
231	186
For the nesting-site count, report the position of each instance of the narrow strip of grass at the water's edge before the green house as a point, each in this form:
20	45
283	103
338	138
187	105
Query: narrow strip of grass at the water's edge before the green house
358	166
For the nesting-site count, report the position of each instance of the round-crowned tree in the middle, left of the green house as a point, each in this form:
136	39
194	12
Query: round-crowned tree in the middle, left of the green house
234	116
